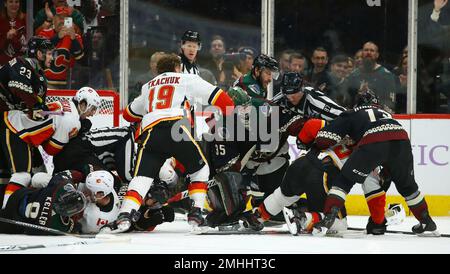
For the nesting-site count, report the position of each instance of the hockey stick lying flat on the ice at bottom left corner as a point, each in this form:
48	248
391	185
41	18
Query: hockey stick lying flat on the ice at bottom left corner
99	239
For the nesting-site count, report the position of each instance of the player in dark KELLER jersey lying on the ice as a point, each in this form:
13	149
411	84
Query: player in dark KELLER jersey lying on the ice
53	206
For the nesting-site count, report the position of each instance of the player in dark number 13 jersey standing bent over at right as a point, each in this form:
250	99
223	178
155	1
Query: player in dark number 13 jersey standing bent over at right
381	141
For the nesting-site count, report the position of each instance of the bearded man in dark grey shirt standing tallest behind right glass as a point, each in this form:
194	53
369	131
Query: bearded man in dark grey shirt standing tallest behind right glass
371	76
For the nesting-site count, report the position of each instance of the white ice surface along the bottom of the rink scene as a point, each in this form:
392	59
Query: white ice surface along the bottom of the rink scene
173	238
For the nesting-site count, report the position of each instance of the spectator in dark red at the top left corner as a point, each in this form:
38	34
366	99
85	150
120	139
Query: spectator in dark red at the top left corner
12	31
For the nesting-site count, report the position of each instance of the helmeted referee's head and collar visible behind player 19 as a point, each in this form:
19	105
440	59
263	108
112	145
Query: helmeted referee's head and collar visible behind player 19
191	44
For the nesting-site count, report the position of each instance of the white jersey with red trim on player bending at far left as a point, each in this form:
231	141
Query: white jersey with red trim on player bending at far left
52	133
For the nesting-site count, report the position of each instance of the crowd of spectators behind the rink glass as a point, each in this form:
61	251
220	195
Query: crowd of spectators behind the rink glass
88	49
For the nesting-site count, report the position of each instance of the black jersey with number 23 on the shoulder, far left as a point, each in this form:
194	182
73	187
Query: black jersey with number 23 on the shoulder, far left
22	85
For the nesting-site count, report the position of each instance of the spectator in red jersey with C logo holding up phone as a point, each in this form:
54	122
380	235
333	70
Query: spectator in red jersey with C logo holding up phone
68	48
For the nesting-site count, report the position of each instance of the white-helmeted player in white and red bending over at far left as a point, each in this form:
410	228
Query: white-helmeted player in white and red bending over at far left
50	131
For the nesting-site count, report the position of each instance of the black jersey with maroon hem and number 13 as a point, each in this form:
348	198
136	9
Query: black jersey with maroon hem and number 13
364	125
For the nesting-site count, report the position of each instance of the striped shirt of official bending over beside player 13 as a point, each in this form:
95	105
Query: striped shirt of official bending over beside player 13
314	104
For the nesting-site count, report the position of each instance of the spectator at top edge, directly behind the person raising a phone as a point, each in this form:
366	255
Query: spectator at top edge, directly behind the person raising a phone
44	17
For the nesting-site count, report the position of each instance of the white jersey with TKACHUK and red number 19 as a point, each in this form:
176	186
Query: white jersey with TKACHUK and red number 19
162	99
